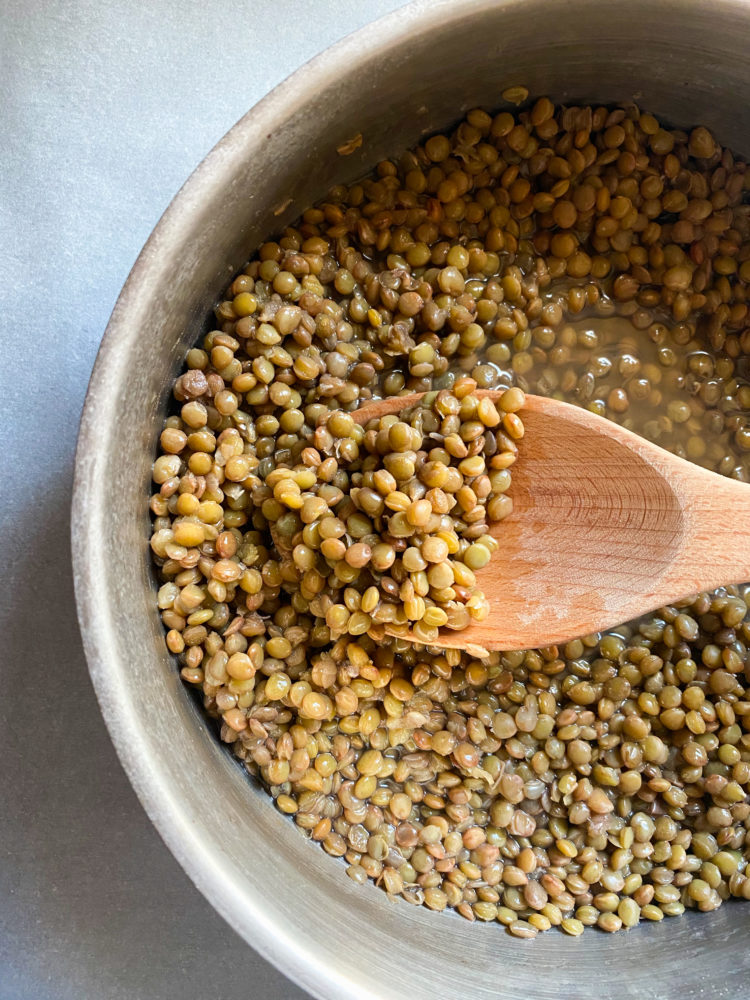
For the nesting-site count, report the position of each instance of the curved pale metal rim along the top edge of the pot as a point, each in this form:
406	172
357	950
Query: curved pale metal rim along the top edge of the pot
242	909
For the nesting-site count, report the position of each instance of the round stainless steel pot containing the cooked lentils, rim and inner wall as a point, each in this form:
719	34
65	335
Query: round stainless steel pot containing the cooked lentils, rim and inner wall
413	72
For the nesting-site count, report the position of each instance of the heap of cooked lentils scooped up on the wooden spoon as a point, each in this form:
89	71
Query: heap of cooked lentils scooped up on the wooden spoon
423	495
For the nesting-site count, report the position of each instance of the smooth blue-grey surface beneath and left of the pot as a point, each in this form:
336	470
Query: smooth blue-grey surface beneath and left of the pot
105	108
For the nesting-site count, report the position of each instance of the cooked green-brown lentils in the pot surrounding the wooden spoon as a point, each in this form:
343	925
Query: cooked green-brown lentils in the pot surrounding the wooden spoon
588	253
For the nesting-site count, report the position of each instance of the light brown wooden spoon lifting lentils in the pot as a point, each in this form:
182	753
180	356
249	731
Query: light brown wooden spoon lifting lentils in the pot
605	527
